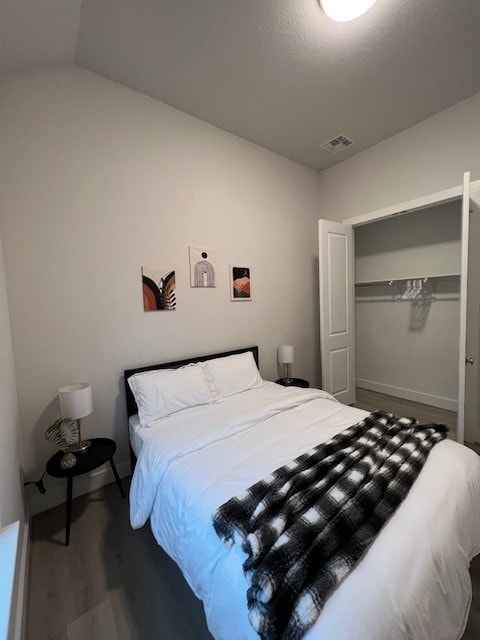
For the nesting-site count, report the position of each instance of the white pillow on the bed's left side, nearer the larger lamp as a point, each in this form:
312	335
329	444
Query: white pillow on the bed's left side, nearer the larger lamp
162	392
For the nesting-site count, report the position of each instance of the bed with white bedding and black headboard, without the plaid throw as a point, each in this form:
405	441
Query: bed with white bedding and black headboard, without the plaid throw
412	583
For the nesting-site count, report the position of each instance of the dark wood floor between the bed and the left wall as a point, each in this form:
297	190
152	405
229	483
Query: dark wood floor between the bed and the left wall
111	583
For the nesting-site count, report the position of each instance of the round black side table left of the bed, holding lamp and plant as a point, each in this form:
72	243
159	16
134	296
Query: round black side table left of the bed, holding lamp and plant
99	452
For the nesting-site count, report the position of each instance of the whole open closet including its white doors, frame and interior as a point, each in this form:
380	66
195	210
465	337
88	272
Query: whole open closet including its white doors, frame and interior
400	308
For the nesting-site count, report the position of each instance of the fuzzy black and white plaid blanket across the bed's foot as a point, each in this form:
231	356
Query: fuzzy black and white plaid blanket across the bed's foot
306	525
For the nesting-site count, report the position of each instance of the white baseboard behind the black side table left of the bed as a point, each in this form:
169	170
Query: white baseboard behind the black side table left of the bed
56	487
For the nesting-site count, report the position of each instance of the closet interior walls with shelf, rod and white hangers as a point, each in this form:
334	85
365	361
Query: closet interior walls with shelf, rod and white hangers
408	348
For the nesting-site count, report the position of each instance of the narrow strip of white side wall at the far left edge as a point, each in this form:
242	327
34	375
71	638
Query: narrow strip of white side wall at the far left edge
11	499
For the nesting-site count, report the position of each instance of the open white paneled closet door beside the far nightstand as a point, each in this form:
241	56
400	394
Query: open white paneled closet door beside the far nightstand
337	339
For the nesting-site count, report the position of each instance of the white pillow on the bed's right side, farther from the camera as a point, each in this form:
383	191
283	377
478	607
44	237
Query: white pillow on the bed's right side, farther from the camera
233	374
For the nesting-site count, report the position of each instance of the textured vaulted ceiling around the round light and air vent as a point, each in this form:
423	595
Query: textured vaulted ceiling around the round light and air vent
276	72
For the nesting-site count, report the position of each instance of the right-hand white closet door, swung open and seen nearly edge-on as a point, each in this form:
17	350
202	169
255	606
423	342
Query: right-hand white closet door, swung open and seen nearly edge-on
472	332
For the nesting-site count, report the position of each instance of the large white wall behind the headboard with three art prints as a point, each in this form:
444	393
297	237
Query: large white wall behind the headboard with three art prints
98	180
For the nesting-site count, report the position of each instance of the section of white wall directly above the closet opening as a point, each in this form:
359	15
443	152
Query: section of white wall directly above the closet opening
424	159
